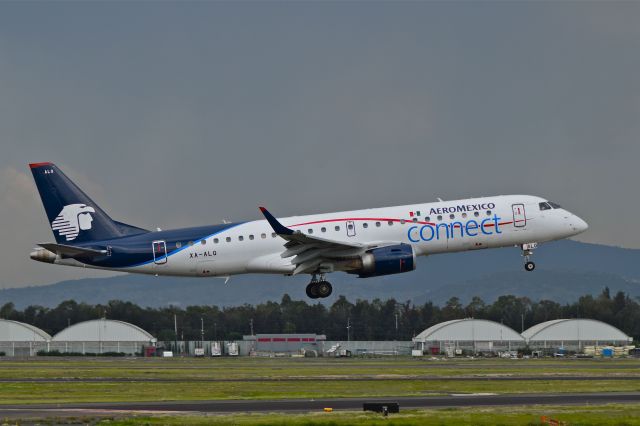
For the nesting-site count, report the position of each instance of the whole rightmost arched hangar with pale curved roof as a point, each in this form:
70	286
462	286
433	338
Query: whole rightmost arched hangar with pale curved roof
574	335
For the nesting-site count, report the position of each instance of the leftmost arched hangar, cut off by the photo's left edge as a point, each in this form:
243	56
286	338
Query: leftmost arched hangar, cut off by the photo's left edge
20	339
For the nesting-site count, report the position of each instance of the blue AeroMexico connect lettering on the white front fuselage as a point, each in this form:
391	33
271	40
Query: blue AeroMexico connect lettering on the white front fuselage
456	229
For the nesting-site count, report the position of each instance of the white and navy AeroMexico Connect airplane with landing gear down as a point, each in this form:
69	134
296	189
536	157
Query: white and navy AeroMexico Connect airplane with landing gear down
369	243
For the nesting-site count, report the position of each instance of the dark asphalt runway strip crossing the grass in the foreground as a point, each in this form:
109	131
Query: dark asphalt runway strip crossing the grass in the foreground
302	405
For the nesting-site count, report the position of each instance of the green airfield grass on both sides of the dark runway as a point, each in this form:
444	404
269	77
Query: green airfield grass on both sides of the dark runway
114	380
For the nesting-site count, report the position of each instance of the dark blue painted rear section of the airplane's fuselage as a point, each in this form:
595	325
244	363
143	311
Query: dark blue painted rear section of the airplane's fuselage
128	252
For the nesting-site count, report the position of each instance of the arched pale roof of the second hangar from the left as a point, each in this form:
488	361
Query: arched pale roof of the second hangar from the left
102	330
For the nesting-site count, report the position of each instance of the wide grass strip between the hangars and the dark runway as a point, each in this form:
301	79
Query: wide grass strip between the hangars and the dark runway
272	378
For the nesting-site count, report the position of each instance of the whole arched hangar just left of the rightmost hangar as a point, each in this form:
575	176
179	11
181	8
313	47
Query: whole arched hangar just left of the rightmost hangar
467	335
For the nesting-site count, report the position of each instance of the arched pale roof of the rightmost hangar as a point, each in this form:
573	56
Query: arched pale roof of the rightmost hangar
574	329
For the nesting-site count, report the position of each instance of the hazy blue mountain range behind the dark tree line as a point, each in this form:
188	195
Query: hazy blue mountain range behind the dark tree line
565	271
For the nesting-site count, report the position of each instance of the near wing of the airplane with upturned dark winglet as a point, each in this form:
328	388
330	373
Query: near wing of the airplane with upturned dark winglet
309	251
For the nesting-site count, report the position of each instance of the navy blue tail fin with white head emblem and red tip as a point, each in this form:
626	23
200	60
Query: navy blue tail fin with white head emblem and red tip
73	216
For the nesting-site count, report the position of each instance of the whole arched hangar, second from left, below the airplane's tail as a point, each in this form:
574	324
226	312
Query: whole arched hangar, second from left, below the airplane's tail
102	336
